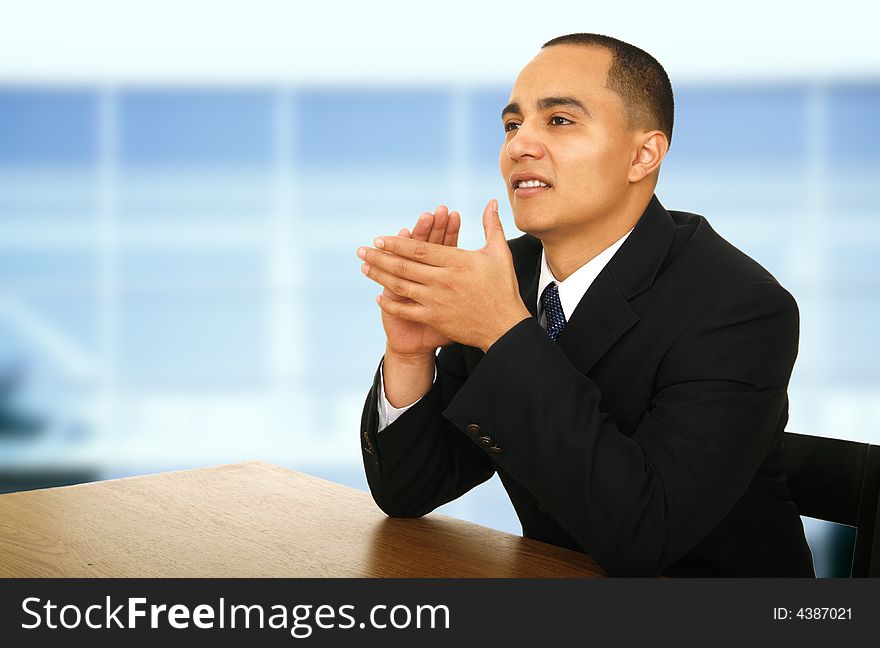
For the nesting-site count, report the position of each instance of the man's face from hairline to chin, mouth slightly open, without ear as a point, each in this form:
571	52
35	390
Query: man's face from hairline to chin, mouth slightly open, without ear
566	129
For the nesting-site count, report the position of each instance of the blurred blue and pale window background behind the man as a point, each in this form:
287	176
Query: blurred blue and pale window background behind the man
178	284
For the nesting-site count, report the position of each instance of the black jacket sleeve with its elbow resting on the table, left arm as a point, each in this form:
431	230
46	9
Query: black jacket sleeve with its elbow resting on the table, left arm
421	461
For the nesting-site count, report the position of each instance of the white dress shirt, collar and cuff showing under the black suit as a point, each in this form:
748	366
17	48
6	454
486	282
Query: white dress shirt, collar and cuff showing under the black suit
571	291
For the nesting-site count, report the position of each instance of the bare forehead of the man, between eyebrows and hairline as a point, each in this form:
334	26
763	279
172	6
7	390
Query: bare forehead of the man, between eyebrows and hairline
565	70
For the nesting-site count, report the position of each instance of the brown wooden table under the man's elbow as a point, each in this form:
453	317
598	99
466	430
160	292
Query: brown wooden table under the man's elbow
251	520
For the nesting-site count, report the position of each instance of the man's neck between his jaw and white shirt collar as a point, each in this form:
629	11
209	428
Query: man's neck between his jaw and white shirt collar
567	251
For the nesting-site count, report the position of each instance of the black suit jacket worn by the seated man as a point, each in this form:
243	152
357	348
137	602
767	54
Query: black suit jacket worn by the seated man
648	435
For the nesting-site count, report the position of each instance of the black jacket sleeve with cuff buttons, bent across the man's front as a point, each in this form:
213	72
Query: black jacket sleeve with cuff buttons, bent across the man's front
637	504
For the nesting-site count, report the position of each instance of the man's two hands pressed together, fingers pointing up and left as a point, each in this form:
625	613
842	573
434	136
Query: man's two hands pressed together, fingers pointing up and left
436	293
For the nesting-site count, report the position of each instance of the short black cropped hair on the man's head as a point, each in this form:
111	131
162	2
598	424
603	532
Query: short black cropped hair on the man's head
636	76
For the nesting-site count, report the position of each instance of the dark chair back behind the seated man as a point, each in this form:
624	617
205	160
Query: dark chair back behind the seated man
838	481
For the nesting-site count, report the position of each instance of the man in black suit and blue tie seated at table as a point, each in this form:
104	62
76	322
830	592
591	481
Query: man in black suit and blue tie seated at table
622	367
